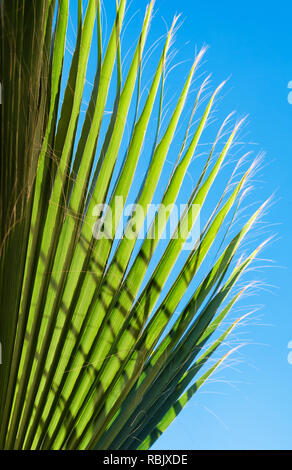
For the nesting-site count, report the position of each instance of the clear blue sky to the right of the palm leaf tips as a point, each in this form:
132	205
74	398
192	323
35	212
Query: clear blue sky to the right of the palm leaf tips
249	405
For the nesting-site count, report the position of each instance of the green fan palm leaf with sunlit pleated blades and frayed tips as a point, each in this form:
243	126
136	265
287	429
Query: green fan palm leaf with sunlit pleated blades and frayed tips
87	343
